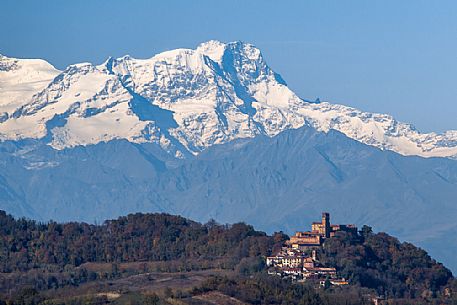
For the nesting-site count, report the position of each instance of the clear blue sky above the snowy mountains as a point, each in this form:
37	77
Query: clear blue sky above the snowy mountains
397	57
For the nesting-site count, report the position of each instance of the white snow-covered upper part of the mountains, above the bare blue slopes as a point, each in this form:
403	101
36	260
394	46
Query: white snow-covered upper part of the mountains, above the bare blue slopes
186	101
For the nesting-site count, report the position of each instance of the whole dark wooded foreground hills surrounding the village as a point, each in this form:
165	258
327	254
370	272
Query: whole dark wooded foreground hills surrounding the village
43	261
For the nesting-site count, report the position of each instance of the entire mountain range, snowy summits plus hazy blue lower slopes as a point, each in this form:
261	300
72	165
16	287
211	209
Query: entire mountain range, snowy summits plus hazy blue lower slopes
214	133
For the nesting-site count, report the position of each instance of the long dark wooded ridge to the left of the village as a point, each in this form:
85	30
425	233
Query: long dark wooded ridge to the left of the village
26	244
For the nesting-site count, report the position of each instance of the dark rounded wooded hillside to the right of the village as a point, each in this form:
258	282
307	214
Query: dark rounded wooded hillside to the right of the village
381	262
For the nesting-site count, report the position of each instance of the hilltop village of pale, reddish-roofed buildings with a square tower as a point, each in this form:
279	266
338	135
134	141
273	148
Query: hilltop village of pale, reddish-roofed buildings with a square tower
298	258
